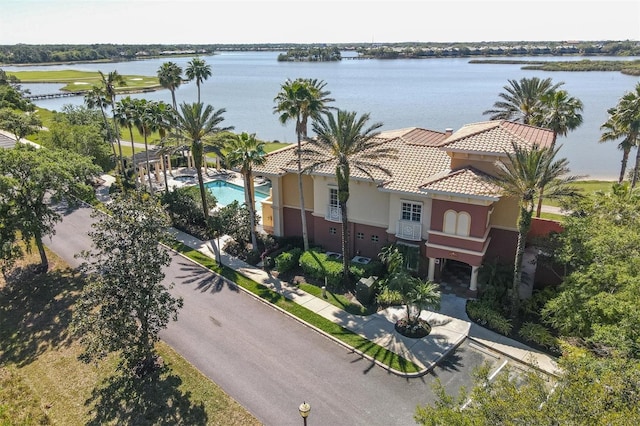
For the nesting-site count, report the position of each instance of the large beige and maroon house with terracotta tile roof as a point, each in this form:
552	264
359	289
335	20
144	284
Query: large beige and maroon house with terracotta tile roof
437	204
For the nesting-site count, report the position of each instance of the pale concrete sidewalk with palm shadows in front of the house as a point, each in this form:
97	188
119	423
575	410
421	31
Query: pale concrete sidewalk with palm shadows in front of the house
450	326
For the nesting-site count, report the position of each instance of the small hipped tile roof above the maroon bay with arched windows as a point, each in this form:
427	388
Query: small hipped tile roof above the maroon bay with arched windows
467	181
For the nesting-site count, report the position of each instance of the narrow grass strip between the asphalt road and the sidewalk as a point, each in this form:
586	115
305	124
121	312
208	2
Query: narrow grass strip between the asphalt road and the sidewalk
352	339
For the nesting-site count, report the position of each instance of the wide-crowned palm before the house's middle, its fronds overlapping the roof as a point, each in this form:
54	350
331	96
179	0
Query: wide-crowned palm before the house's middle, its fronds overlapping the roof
344	139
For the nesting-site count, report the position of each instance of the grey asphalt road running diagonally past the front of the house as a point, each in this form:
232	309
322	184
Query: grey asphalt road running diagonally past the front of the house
271	363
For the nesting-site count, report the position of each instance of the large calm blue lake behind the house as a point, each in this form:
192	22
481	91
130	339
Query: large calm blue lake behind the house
431	93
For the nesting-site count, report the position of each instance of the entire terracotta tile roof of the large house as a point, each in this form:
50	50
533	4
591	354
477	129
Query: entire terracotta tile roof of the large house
423	162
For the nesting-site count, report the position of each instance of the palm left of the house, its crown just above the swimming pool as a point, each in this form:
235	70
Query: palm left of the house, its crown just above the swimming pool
194	123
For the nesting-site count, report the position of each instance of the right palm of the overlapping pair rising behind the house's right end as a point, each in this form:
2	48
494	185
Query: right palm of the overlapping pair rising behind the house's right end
559	113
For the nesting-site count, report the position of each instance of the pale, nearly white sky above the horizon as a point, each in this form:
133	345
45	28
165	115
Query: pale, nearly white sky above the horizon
312	21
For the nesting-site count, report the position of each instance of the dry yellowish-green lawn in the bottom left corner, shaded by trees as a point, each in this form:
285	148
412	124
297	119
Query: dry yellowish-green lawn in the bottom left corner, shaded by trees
42	381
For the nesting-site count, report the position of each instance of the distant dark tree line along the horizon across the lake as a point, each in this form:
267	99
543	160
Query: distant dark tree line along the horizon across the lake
47	53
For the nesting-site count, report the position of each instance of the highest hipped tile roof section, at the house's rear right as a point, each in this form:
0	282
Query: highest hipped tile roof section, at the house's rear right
495	137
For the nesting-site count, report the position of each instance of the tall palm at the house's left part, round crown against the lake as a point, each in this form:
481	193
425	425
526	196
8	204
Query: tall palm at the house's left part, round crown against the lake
300	100
